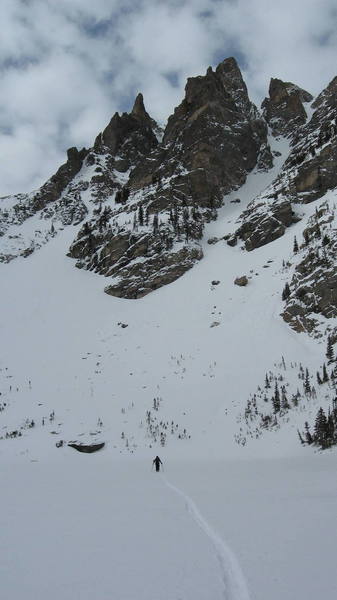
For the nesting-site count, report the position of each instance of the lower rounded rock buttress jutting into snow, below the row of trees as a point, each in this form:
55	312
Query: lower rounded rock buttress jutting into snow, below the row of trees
140	260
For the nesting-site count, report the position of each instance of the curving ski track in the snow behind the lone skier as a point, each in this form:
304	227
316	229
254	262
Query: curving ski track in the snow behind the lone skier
235	587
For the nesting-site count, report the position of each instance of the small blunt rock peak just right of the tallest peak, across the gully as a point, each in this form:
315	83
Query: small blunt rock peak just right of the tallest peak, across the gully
284	110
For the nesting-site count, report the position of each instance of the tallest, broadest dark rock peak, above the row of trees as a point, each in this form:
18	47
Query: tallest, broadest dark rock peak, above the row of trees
213	139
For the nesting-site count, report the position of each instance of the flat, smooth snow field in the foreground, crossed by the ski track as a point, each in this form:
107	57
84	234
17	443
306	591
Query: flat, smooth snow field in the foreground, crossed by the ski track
90	527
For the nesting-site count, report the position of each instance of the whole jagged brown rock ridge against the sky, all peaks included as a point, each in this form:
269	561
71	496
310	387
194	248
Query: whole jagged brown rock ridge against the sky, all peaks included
143	203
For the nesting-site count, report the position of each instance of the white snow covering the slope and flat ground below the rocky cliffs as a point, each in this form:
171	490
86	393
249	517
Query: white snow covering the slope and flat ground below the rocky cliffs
224	522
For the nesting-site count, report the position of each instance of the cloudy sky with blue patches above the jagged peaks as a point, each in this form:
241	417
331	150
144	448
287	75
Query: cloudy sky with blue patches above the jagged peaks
67	65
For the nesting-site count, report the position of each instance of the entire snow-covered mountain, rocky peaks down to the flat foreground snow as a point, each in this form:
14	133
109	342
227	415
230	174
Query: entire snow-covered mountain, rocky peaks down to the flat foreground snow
213	347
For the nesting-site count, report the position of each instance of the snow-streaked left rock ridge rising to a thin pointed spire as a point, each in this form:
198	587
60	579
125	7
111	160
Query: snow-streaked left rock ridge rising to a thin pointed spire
99	173
